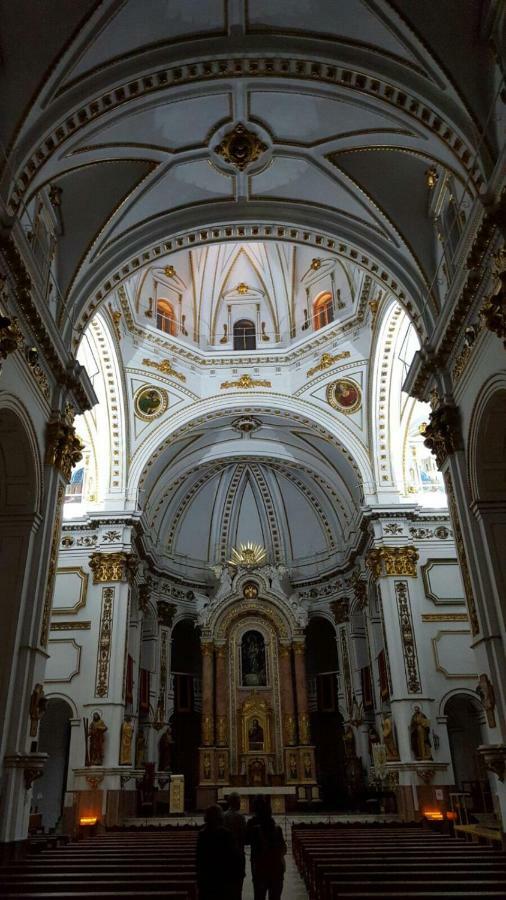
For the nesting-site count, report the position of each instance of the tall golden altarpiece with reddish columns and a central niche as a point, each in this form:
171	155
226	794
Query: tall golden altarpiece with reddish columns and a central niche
255	735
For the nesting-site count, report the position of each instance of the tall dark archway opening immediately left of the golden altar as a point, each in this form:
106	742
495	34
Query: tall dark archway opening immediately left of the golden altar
186	672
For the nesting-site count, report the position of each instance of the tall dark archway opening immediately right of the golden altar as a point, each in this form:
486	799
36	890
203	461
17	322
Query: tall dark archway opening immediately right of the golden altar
326	722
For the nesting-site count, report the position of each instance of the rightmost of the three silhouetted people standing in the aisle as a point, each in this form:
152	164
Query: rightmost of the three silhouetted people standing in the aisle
268	849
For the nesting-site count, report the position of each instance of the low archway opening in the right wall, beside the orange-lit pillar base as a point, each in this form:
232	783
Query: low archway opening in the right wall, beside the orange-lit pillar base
465	735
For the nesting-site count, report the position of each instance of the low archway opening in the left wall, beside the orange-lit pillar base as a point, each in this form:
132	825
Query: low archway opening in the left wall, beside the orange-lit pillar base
54	739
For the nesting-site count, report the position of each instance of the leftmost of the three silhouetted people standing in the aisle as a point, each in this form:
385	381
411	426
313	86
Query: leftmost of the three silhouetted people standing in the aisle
219	862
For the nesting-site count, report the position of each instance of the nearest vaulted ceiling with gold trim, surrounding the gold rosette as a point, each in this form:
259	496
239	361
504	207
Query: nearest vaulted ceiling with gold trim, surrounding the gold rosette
124	105
